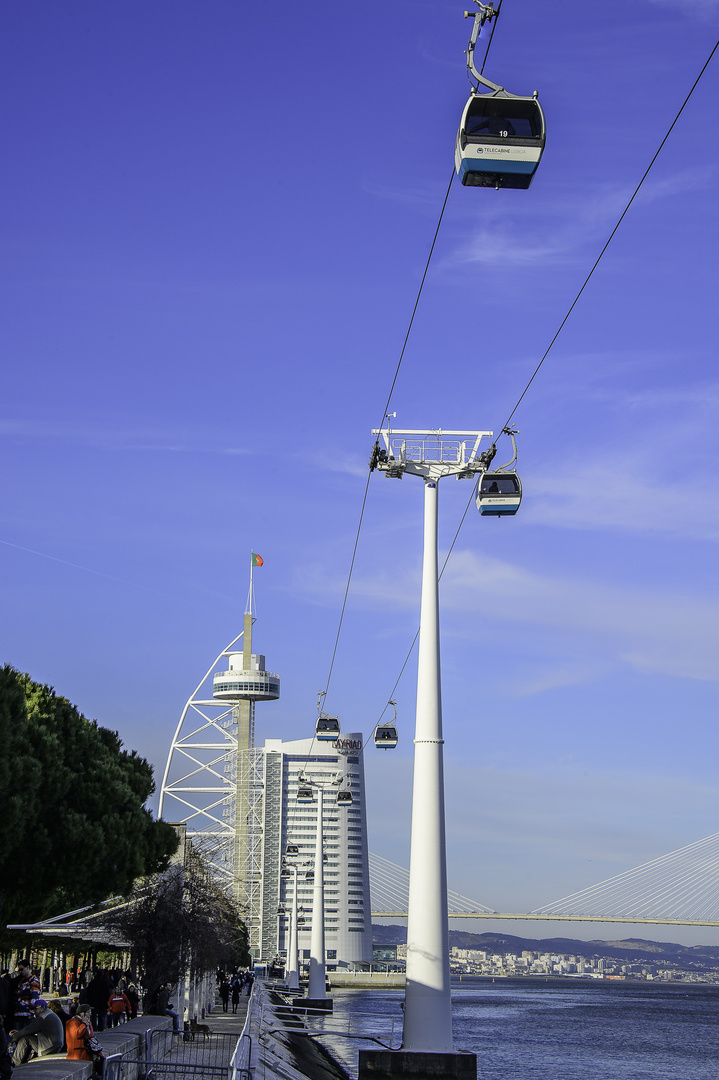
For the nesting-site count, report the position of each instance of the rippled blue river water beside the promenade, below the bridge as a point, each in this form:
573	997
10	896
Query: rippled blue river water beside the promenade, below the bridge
553	1031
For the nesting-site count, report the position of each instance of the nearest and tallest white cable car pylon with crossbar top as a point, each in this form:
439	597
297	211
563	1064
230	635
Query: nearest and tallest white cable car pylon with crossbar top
431	455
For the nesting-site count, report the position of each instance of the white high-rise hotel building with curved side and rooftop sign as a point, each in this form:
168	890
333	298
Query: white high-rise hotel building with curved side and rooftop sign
348	910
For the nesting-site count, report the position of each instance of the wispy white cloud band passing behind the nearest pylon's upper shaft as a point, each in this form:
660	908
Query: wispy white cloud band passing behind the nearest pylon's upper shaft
613	625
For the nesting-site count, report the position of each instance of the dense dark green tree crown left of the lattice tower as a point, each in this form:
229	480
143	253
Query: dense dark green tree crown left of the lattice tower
74	827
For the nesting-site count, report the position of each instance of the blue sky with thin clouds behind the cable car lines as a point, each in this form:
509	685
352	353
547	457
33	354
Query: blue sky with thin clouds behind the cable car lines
216	221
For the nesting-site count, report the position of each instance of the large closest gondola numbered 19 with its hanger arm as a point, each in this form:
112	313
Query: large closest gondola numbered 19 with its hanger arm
501	137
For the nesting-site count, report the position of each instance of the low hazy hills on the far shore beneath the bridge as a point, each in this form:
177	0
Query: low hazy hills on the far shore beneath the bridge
631	949
